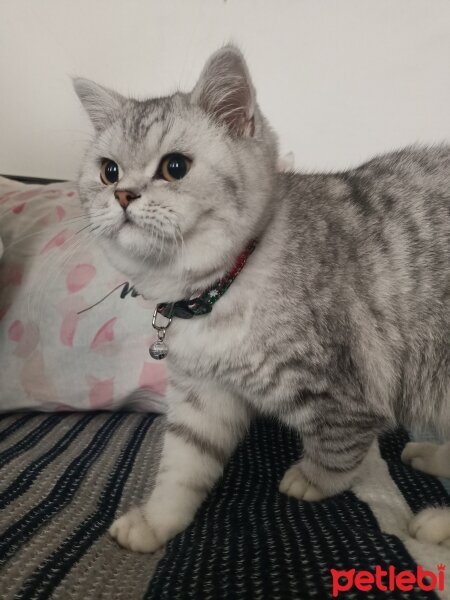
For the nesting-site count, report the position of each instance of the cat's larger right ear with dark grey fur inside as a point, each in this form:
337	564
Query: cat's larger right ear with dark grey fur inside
225	91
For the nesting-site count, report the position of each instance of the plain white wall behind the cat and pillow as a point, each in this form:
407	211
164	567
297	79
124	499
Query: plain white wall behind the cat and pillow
339	79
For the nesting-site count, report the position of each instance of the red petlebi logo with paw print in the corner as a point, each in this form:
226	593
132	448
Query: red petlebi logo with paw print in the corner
387	580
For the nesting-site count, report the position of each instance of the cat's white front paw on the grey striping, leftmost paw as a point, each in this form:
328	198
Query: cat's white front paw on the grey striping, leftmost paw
133	531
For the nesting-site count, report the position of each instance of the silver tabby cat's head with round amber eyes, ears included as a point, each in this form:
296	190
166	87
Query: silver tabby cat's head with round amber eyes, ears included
192	171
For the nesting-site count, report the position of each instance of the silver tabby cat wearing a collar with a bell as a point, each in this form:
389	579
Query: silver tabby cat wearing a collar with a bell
338	322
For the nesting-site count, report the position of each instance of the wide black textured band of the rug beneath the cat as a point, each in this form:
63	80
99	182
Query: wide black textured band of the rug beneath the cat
249	541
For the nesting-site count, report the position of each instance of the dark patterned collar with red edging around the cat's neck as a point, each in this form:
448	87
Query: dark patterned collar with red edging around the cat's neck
203	304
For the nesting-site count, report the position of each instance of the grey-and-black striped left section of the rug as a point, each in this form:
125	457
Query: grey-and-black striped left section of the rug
63	478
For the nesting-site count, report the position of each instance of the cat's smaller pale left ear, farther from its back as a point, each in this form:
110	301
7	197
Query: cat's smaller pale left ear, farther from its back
101	104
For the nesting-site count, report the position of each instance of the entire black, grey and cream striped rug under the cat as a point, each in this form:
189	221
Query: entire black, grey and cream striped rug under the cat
64	477
